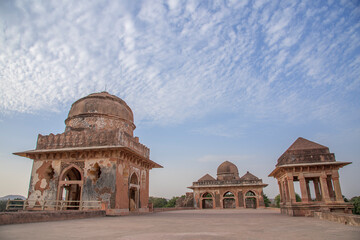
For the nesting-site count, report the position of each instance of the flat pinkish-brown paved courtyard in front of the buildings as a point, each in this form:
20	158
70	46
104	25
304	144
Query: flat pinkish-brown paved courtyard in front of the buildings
188	224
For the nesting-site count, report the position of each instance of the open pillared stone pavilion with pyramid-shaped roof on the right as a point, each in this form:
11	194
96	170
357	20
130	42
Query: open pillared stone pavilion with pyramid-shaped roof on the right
315	169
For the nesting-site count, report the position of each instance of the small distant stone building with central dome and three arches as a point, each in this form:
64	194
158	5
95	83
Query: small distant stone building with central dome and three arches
228	190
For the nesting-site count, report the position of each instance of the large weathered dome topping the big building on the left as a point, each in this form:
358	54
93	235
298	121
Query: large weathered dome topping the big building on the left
100	111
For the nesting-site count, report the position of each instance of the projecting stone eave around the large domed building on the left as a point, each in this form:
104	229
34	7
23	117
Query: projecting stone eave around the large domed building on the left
32	153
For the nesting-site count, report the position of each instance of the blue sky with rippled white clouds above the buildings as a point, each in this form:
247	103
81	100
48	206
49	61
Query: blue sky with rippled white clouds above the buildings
208	81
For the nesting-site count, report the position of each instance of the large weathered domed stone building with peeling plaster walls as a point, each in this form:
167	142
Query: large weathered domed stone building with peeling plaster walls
97	158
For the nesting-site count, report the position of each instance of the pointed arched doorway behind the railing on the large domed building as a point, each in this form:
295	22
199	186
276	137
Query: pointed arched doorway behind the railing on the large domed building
70	186
